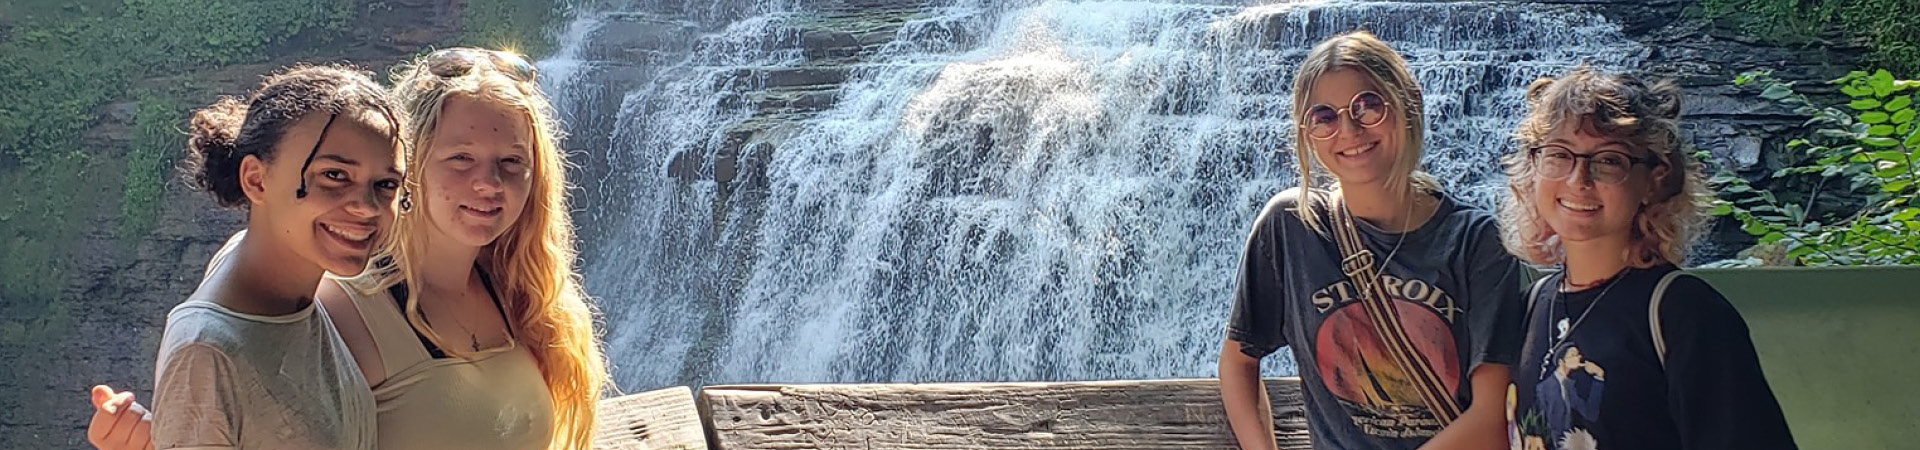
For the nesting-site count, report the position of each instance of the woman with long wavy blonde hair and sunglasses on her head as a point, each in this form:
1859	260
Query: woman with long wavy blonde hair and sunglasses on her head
473	328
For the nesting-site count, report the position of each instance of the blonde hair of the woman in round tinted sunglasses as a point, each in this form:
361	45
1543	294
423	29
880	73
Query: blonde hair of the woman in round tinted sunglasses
1376	61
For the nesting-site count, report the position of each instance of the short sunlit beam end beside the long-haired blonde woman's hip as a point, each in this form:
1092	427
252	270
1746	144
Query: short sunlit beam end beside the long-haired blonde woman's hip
656	420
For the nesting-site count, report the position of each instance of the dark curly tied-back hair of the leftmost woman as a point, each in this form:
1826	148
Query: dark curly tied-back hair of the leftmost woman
231	128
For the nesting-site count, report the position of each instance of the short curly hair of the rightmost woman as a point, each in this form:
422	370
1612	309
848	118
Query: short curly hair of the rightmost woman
1627	111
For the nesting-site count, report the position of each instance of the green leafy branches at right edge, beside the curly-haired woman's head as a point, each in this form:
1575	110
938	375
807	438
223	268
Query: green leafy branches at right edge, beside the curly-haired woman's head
1848	193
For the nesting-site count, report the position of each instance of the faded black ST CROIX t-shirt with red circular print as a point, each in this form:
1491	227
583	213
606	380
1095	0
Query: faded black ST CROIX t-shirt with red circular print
1454	295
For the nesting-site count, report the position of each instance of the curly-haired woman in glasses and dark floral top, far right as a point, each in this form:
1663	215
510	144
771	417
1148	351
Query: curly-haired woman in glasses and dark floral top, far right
1623	349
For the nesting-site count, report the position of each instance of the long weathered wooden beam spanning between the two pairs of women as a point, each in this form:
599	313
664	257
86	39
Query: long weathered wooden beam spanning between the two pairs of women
1053	416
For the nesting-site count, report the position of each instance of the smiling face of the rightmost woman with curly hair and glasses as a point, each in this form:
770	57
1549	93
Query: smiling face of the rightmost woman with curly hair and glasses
1585	211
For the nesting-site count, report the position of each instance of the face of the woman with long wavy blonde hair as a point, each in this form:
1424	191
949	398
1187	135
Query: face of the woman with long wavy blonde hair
479	170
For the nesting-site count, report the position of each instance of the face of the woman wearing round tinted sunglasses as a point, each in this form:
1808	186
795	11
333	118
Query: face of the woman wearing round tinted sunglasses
1355	155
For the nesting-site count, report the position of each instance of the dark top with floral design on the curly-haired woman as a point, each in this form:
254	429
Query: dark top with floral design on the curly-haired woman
1604	387
